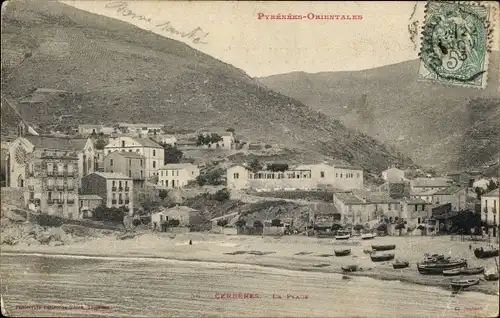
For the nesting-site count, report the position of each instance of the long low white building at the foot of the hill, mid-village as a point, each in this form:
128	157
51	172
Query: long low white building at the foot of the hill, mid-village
299	177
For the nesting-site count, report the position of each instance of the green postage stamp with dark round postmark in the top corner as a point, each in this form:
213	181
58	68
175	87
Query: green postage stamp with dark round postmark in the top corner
456	41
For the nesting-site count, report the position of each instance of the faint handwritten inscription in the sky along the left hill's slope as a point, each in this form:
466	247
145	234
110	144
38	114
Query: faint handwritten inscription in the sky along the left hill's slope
196	35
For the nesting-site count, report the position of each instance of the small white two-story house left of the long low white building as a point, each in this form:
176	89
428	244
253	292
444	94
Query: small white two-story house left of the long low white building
177	175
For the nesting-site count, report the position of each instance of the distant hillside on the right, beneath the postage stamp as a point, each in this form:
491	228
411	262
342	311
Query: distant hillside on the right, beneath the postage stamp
448	127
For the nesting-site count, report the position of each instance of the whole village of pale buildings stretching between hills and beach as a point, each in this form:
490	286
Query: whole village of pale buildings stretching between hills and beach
139	175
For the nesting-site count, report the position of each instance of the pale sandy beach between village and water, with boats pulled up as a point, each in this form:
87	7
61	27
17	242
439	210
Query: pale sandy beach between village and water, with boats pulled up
289	252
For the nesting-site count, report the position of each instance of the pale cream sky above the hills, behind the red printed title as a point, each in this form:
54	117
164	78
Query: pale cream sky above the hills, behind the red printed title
377	33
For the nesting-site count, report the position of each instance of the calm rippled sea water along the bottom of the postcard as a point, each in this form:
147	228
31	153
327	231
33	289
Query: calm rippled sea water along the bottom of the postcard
157	287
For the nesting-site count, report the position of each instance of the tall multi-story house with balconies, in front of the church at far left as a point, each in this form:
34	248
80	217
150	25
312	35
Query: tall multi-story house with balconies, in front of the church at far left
52	182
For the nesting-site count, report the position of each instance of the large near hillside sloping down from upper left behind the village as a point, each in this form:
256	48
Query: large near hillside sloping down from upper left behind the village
111	71
